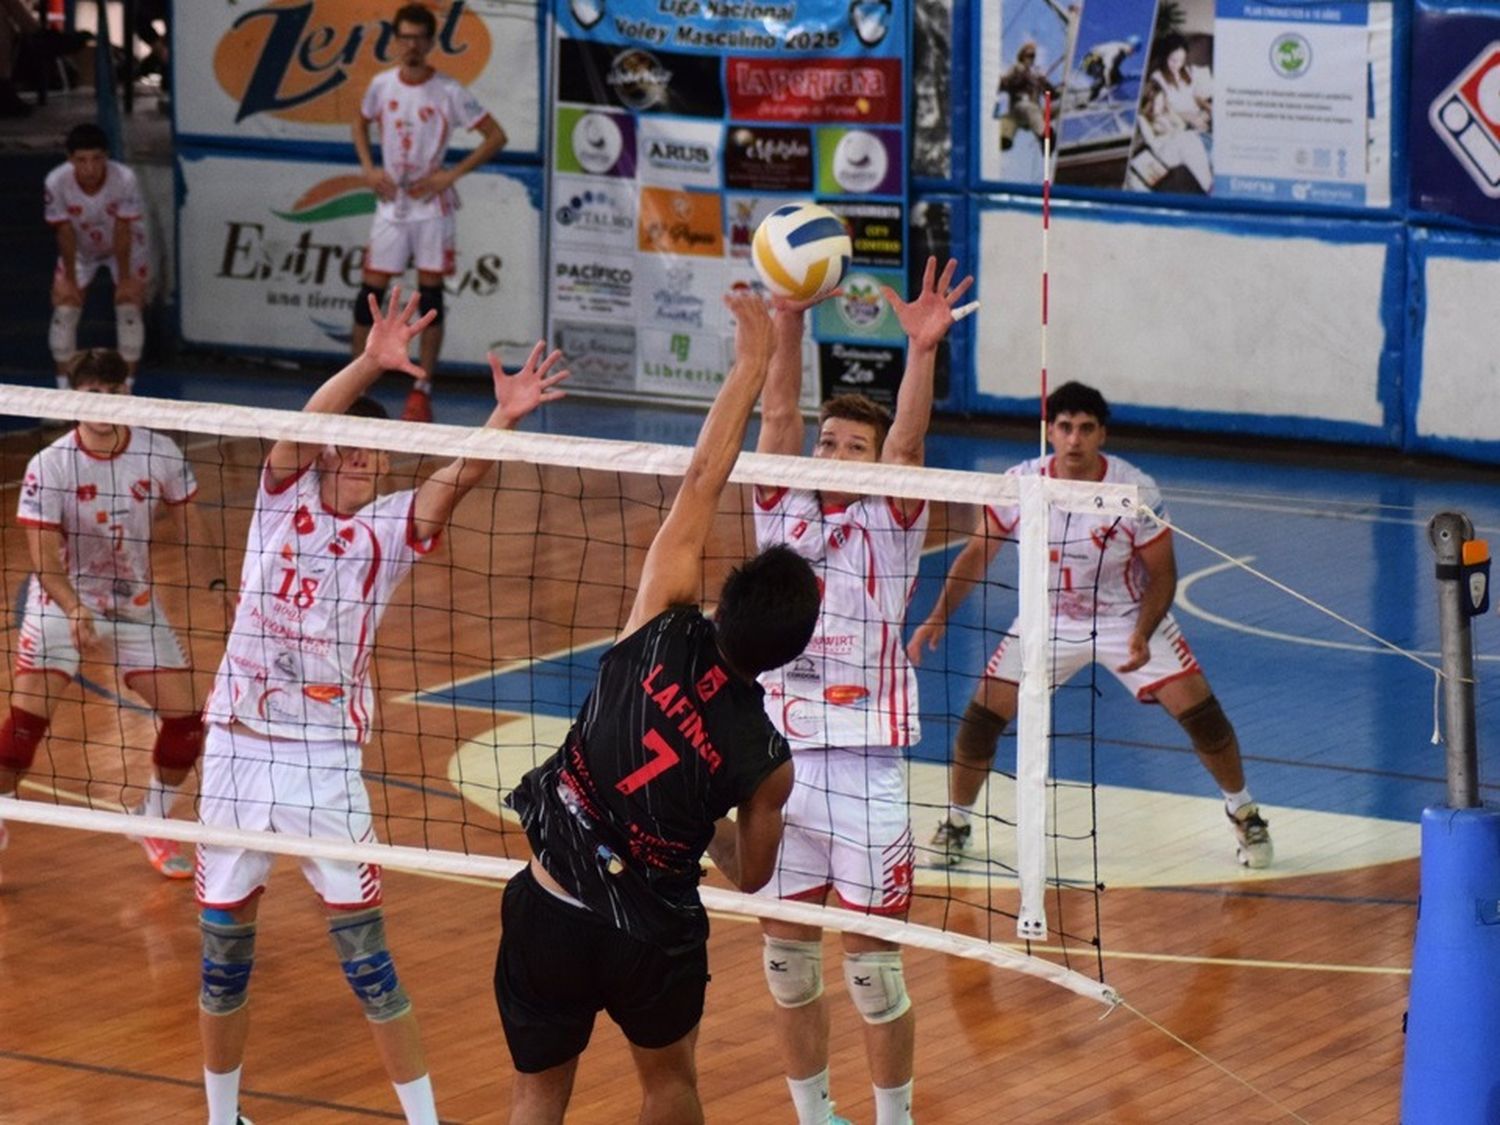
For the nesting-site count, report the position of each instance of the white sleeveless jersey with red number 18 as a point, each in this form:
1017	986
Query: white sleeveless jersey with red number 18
313	592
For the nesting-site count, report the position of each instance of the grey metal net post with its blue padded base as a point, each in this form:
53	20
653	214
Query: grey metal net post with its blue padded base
1453	1033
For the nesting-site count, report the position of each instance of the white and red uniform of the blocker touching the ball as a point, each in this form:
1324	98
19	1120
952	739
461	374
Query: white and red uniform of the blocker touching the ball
848	706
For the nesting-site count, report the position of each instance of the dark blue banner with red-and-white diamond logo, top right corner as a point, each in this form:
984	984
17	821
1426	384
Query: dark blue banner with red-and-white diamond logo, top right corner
1456	115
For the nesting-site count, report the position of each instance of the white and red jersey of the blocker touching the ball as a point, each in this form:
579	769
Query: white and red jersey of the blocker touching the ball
853	686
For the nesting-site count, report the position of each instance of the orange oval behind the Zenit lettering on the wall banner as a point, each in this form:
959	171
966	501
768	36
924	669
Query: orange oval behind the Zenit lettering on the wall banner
310	61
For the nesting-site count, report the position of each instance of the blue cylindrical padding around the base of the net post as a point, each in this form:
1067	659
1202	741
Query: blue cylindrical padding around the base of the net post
1453	1043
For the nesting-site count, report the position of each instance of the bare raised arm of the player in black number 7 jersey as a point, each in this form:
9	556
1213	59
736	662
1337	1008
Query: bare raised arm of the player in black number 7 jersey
674	568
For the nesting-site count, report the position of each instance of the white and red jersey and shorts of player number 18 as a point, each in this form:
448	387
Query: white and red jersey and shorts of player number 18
292	703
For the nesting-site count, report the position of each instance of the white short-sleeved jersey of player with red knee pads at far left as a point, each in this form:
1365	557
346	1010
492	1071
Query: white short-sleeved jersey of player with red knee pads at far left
104	508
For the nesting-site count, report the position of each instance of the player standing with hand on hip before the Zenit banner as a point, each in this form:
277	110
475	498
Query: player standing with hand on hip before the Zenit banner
418	112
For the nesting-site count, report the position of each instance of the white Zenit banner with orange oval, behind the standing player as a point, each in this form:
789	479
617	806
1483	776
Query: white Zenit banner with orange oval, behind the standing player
278	71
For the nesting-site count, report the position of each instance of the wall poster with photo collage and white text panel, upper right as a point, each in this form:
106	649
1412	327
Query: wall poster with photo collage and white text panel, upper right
1225	100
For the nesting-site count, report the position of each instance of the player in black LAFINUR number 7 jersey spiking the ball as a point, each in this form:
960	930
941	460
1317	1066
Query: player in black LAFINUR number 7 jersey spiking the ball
673	737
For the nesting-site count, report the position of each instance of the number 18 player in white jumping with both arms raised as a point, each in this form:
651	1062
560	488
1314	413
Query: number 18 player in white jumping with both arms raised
290	709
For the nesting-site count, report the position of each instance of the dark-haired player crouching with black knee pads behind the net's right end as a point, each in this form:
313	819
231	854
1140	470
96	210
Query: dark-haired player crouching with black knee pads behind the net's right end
1124	593
